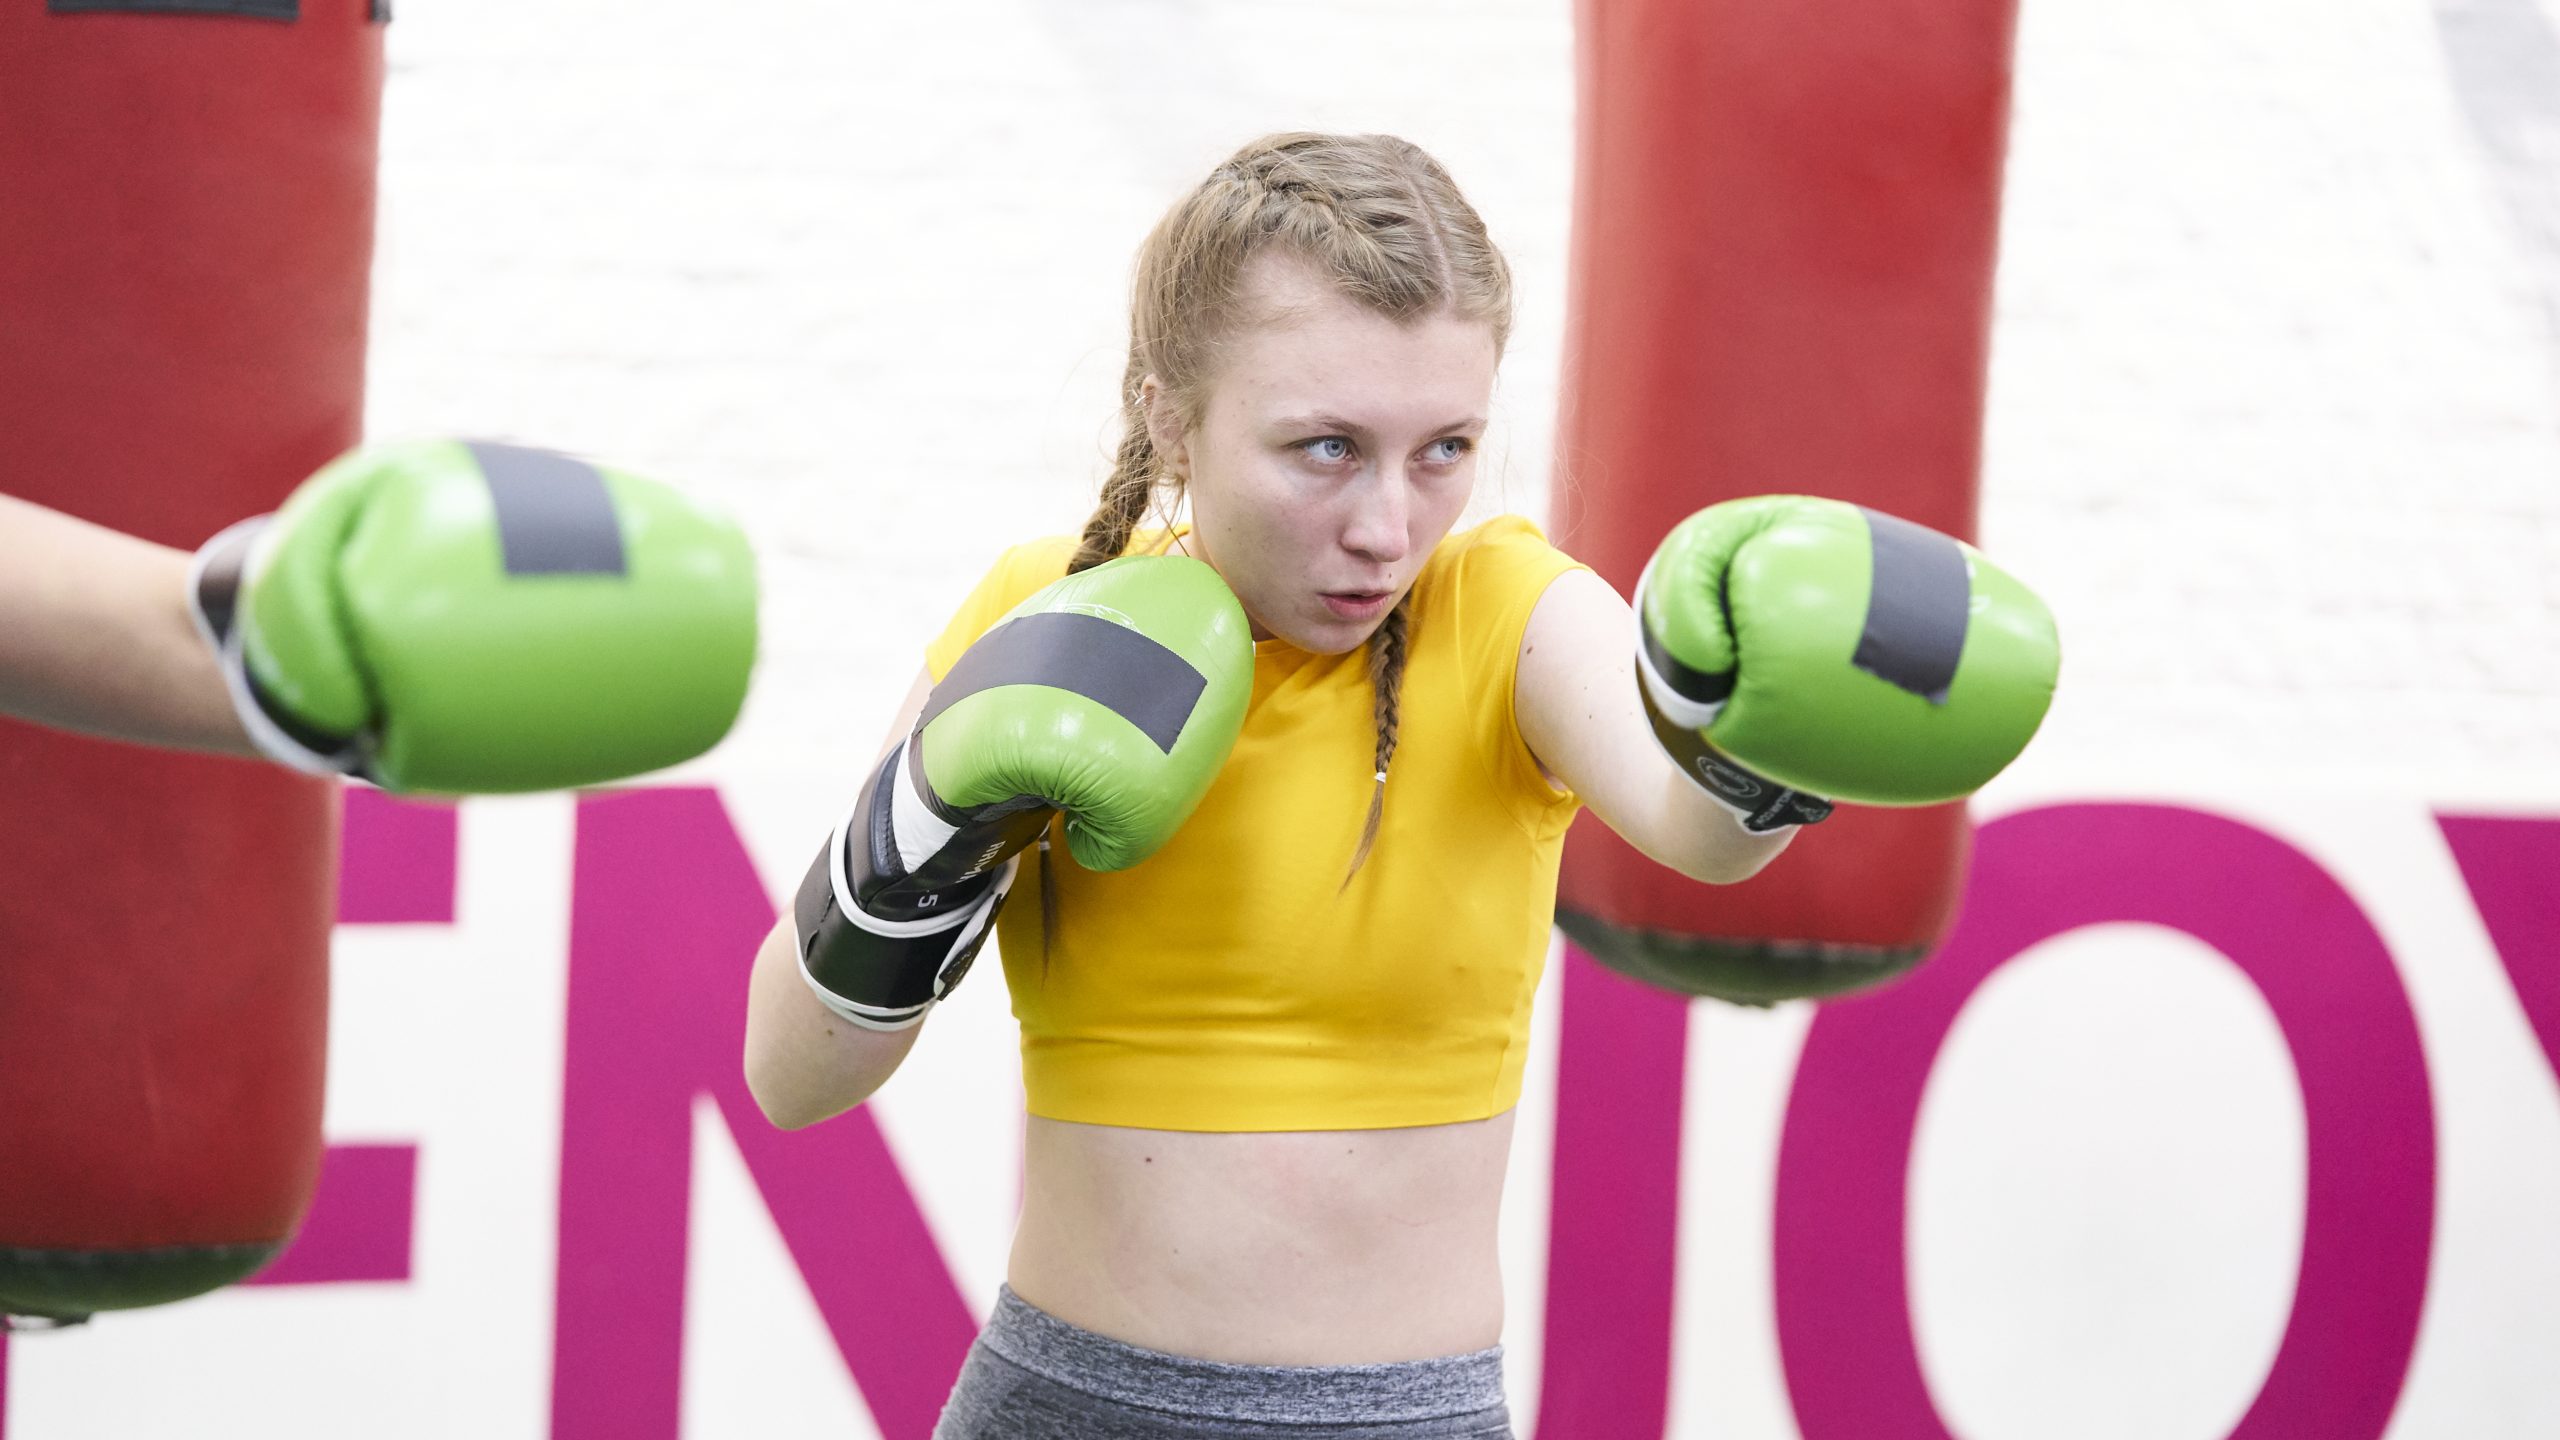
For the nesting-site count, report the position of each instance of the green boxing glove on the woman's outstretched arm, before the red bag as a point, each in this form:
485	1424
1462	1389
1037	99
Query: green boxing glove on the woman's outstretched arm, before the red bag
1804	650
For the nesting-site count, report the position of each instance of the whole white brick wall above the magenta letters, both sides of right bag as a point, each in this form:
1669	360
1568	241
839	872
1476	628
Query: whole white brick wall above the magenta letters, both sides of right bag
2277	363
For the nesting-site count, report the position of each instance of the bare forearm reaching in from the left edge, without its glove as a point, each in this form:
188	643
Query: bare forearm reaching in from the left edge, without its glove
96	637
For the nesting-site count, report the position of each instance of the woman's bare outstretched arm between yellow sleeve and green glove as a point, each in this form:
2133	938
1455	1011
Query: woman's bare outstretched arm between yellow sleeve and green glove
1583	716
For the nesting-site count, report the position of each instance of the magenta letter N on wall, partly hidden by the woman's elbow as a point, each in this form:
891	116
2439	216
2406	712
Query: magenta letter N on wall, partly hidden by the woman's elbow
664	926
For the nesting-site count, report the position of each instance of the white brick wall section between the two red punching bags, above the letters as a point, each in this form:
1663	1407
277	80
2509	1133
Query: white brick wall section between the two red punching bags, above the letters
861	270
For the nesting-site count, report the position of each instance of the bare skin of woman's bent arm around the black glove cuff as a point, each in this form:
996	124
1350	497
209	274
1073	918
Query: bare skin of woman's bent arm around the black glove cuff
805	1062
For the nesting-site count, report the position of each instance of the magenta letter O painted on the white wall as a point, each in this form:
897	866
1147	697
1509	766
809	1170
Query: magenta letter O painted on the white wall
1842	1282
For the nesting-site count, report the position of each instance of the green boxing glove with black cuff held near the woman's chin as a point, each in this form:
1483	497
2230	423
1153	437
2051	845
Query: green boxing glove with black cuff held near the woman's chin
1112	696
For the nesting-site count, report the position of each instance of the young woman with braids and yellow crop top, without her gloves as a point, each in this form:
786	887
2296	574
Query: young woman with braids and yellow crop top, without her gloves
1271	1070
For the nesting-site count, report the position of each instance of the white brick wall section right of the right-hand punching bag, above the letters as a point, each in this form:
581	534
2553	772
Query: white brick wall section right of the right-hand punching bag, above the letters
2277	393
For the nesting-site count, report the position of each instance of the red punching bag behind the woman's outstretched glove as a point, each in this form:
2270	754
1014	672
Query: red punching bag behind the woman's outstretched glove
1783	283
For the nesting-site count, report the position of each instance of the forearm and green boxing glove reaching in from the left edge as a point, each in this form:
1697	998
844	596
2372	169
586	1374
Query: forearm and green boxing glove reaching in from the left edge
434	619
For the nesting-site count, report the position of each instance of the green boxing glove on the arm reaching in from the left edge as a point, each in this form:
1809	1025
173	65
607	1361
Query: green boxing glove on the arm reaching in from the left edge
460	619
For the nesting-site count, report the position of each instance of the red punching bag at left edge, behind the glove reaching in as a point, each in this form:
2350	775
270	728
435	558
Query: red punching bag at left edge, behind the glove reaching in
186	234
